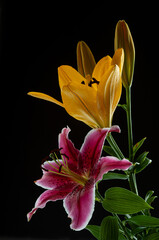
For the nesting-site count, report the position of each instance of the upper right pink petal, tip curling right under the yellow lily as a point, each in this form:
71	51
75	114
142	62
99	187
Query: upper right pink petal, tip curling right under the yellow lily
92	147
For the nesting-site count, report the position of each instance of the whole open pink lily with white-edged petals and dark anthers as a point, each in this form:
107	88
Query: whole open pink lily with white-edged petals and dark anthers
73	177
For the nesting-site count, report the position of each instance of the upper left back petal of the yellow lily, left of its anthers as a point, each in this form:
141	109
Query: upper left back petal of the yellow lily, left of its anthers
68	75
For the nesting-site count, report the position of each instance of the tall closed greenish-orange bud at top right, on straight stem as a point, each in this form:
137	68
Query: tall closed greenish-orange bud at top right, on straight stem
123	39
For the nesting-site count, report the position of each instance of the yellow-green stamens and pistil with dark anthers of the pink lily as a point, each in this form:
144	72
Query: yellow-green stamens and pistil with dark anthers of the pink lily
60	167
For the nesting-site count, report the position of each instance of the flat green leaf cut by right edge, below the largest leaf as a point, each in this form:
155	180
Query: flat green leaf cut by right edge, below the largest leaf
144	221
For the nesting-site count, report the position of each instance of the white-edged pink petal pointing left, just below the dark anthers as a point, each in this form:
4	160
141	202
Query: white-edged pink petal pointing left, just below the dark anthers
51	180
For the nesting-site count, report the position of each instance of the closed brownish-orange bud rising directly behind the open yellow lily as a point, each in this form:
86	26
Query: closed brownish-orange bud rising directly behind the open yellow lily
85	59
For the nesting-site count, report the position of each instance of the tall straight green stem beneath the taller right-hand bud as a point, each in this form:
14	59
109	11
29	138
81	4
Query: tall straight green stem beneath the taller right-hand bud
132	176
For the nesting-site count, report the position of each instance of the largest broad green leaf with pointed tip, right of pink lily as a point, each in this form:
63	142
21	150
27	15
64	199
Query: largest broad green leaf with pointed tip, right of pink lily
122	201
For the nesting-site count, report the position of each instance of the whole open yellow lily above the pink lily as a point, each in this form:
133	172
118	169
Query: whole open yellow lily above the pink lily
93	95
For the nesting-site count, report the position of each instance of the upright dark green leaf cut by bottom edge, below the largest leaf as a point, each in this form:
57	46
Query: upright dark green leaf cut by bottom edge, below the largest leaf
109	229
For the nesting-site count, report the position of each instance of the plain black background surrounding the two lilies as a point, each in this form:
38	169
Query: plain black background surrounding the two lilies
35	40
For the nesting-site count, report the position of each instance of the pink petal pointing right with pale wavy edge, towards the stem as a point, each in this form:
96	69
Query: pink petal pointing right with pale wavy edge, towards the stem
109	163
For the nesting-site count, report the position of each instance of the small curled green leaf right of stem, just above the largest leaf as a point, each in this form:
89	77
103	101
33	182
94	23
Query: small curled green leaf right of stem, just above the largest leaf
142	162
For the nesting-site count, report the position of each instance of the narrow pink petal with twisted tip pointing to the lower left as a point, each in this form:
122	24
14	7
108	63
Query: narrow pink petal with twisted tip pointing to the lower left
50	195
